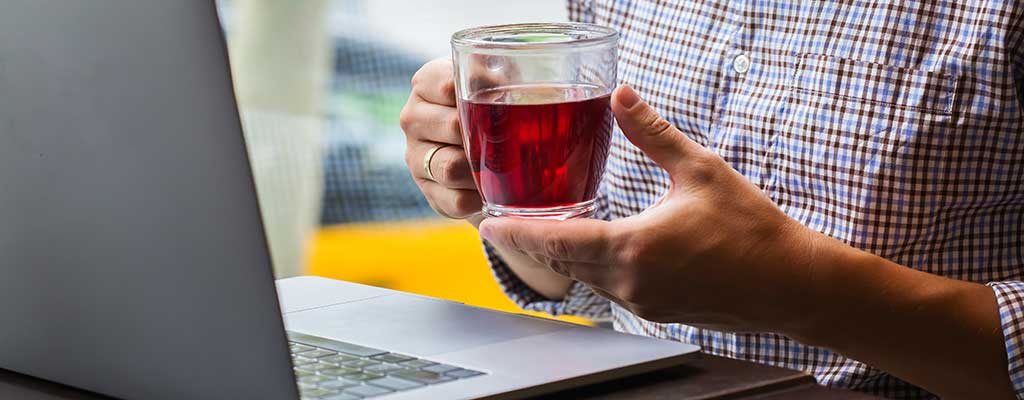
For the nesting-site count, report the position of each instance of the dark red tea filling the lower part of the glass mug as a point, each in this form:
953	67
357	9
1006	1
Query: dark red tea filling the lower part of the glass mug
538	147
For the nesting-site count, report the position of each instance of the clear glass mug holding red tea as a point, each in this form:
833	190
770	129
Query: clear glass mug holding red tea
535	107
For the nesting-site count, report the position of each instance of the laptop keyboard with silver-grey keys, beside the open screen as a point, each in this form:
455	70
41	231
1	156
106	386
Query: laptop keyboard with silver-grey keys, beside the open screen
336	371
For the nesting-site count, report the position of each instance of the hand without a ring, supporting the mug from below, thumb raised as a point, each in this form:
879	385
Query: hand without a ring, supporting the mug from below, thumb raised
713	252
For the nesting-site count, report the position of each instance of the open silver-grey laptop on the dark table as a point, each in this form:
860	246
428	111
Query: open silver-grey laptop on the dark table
135	262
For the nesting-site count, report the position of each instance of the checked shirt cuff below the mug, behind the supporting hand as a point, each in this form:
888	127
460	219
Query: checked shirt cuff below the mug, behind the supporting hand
579	301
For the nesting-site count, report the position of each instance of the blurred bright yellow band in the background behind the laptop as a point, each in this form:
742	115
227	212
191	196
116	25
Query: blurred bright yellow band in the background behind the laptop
436	258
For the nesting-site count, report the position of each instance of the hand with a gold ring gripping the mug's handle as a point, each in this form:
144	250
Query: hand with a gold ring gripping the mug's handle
431	120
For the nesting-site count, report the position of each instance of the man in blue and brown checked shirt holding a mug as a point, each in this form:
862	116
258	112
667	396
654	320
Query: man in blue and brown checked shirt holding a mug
832	188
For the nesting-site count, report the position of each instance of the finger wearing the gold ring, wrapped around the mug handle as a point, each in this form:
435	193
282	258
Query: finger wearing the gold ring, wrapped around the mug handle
449	165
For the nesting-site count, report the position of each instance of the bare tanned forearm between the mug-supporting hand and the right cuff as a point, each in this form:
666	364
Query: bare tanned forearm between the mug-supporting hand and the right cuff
941	334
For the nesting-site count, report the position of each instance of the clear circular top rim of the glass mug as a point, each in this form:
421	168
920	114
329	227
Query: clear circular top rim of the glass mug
577	34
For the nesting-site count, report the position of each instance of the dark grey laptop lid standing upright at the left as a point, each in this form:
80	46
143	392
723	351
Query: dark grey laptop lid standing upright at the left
133	258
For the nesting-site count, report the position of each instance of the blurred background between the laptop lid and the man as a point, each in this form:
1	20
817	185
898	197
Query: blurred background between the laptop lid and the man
320	85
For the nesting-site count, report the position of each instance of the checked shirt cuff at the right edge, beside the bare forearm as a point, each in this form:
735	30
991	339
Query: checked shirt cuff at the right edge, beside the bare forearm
1010	296
